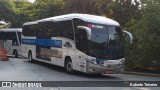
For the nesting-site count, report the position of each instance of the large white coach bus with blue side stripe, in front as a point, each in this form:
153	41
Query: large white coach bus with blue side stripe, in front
78	42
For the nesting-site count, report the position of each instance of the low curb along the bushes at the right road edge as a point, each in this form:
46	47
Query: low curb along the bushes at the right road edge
141	73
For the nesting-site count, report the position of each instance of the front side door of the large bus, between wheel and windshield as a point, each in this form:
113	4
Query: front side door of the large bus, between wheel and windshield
81	40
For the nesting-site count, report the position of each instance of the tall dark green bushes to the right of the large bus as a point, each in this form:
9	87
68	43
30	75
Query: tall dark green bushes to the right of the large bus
144	53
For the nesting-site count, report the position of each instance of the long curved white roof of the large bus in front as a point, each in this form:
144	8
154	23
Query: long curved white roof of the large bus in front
85	17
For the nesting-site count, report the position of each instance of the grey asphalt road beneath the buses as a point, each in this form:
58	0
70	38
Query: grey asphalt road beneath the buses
18	69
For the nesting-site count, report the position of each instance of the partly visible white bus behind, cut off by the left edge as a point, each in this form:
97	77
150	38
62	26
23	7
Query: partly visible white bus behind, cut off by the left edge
10	39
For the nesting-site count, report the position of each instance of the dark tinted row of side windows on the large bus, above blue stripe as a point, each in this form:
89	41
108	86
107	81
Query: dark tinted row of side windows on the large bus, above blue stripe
50	29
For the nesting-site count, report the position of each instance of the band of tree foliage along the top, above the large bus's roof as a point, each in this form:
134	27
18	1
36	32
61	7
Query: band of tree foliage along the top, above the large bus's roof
24	11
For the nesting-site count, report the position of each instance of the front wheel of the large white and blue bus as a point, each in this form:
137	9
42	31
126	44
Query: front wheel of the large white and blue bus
69	66
